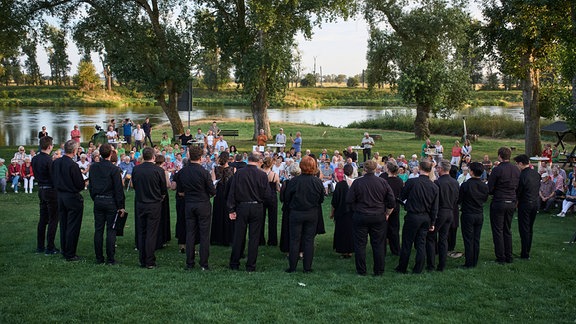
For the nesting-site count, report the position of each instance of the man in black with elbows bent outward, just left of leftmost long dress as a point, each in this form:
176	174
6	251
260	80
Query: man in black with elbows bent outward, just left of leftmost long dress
196	183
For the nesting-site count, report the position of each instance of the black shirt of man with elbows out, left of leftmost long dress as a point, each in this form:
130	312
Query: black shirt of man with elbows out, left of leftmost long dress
195	182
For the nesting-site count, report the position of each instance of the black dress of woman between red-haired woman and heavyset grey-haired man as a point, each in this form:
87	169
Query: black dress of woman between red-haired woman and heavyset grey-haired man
343	227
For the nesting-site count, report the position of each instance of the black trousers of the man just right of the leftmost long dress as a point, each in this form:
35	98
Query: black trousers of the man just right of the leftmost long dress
248	217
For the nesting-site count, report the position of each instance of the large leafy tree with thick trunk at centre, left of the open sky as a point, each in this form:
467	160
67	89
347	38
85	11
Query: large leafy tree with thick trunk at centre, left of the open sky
258	36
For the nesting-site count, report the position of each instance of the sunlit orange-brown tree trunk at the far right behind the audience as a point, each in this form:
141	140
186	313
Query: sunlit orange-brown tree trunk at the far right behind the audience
530	99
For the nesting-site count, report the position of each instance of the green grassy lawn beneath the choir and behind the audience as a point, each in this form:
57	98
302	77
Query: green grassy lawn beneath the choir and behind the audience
40	288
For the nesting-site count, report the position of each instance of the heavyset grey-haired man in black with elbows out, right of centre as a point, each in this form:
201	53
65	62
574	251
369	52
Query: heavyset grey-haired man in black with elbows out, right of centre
373	201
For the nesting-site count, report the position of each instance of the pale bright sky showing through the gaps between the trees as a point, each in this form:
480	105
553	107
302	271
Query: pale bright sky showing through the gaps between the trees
339	48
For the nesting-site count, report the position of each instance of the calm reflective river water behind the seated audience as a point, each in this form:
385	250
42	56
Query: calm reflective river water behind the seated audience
20	125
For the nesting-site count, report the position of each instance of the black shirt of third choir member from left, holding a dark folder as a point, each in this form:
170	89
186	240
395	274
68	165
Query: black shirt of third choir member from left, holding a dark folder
106	180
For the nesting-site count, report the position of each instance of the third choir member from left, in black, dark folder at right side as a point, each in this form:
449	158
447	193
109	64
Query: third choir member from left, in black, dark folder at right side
107	192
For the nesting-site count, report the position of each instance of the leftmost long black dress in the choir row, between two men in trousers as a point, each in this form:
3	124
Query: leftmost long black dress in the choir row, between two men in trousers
222	227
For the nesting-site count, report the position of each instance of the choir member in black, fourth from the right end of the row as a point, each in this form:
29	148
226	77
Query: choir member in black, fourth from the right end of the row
448	201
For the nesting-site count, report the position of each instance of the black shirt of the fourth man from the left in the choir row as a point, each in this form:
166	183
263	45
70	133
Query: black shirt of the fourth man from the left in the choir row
149	183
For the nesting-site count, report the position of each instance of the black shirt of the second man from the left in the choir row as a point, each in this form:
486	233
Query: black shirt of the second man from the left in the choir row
66	175
